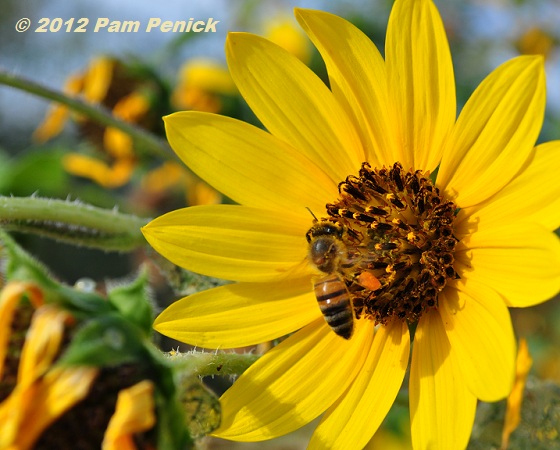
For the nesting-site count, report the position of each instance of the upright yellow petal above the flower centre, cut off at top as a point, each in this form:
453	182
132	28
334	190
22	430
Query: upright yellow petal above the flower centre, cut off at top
421	81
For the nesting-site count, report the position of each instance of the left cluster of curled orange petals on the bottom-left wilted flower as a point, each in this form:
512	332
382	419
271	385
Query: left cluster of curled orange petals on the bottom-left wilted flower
42	393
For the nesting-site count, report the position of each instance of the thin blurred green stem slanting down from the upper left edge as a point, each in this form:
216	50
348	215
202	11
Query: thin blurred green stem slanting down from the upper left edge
97	113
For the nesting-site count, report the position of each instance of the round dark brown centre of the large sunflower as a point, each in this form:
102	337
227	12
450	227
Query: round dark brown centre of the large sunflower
389	240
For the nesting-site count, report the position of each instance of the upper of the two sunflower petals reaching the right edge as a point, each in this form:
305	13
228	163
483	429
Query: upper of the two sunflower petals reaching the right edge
532	196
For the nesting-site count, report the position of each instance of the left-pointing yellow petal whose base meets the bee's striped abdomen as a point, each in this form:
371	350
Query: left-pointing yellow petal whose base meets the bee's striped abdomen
239	315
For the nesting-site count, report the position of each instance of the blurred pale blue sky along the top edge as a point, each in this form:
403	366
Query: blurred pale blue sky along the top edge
49	57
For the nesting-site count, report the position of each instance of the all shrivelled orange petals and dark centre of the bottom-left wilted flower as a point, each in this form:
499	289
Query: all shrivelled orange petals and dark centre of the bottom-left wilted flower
42	392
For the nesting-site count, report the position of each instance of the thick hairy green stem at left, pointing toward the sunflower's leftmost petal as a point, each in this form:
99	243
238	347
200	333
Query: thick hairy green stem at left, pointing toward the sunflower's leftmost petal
72	222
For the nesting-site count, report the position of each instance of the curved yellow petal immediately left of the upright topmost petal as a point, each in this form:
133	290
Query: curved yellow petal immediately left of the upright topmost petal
358	80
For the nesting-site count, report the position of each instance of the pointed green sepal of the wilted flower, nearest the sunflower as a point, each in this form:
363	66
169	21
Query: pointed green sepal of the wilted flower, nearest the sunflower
133	302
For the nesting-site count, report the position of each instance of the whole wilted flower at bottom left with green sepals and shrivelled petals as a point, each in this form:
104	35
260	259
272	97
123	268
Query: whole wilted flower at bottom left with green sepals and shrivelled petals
79	370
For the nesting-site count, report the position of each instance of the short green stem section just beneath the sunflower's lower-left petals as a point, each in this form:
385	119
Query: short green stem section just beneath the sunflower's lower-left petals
204	364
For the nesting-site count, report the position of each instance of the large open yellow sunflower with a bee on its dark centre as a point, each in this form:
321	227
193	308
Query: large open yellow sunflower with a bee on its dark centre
402	252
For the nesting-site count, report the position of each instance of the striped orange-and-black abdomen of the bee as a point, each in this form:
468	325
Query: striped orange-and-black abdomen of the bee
334	302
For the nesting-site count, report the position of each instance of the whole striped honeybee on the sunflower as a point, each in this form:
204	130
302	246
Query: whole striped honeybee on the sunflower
327	252
